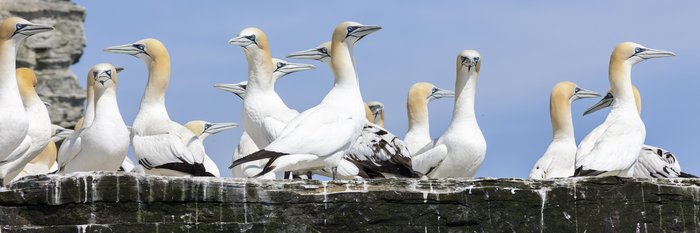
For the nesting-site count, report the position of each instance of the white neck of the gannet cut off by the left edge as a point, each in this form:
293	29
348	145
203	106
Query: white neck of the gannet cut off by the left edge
8	76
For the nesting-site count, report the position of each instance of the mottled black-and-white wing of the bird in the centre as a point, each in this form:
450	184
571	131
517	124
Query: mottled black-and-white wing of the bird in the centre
377	152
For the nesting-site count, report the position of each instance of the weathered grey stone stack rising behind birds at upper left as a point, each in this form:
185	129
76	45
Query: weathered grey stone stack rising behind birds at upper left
52	53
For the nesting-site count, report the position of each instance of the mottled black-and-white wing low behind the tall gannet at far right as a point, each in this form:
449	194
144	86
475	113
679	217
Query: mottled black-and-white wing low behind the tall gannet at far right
656	162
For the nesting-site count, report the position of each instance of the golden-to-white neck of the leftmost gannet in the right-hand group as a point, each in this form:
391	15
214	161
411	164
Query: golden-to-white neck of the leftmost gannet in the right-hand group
560	115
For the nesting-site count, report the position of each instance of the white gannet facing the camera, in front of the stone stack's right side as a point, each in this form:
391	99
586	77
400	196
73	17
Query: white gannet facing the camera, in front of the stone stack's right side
103	144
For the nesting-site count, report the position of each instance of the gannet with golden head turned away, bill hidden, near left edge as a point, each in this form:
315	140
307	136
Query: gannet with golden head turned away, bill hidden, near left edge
39	129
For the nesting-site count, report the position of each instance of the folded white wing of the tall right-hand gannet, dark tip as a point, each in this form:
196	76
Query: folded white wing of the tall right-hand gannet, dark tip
614	150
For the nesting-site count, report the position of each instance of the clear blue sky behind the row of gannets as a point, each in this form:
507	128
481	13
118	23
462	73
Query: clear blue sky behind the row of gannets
526	48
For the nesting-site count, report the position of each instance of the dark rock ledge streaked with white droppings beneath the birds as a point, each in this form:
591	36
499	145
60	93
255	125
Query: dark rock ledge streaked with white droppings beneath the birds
124	202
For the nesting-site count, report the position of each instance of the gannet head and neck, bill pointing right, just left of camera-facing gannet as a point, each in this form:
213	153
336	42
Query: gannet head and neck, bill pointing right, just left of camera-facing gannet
418	134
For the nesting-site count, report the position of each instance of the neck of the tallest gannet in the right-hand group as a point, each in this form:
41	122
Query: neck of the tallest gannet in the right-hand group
620	76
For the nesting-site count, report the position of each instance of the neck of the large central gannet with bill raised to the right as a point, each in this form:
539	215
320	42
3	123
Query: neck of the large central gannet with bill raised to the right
343	66
